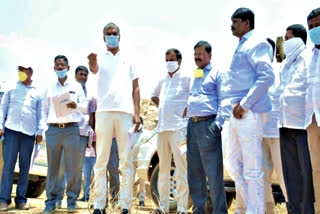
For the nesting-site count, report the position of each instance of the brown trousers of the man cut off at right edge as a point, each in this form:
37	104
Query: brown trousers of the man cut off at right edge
314	148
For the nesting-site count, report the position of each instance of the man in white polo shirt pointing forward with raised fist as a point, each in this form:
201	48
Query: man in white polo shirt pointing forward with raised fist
118	99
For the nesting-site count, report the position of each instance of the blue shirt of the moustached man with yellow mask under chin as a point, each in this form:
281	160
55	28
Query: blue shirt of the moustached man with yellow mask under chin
204	97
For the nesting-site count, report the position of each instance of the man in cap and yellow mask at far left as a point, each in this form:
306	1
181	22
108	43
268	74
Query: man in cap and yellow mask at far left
20	113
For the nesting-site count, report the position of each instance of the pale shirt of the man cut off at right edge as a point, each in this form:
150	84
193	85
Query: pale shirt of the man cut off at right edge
313	91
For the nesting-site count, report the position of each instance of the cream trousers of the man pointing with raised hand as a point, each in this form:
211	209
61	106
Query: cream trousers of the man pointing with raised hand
108	124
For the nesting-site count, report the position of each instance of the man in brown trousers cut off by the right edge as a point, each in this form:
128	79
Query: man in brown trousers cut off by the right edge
313	103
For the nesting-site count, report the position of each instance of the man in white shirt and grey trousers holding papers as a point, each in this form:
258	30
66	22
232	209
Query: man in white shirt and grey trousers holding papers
62	118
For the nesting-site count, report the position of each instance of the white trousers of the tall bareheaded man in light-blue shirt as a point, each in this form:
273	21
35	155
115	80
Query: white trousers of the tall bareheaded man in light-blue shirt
244	160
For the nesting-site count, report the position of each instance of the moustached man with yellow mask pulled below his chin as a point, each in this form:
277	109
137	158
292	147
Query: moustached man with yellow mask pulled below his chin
204	148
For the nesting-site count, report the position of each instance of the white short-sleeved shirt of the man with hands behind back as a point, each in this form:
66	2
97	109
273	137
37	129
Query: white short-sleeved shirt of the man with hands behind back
173	93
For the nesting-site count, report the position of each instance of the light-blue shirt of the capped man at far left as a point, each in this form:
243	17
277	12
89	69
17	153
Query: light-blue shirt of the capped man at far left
20	110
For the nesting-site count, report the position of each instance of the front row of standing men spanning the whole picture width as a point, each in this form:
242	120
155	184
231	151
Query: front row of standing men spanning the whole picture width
240	95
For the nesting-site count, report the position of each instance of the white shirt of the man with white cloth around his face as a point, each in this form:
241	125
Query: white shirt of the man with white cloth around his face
293	86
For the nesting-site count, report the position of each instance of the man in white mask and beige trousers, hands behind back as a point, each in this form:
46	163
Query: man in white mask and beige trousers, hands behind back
171	96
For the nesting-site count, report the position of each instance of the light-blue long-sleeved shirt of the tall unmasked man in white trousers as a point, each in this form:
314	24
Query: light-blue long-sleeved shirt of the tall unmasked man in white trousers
250	74
